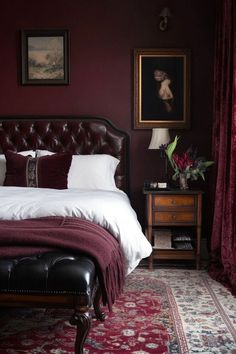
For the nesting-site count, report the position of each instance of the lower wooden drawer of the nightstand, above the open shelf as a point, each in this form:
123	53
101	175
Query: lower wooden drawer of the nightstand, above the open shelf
173	217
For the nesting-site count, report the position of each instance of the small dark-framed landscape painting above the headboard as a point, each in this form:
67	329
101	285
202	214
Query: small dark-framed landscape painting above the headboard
44	57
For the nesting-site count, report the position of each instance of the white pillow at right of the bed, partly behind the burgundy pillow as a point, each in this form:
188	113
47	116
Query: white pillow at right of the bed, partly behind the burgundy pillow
90	171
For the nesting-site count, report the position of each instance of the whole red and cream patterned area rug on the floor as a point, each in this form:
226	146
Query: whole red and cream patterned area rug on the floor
161	311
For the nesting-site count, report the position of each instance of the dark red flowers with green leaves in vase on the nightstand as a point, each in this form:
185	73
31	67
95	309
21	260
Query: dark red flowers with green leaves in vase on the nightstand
187	163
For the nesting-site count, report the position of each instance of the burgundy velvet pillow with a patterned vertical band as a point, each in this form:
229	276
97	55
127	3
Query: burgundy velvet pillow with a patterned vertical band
42	172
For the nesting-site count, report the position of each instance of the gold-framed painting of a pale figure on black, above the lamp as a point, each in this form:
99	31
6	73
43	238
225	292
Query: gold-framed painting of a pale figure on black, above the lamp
161	88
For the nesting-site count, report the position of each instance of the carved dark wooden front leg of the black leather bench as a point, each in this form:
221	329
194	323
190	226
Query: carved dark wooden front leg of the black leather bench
83	322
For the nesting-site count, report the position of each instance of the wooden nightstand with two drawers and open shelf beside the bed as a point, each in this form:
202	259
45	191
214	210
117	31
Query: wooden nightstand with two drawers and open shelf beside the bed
173	224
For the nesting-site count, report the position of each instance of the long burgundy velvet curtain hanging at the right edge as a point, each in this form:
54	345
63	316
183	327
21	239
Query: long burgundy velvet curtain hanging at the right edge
223	240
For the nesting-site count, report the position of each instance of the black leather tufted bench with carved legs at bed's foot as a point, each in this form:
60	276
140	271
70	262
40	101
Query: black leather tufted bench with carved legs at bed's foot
55	279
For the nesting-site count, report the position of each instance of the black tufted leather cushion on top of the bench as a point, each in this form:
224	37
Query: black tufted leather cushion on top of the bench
49	273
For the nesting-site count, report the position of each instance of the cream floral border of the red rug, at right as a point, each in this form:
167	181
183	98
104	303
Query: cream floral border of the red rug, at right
207	311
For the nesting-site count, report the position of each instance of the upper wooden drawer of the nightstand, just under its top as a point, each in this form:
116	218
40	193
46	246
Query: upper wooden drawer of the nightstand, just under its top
172	202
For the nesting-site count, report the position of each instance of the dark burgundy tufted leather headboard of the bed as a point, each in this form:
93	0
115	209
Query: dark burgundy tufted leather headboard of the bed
80	135
